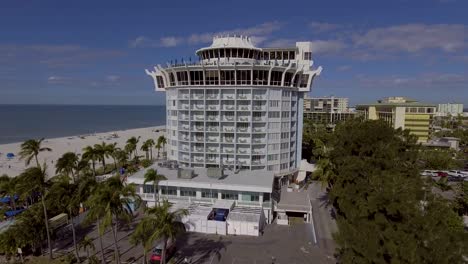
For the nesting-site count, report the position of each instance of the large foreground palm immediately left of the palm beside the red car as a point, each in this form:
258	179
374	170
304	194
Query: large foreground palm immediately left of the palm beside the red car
114	199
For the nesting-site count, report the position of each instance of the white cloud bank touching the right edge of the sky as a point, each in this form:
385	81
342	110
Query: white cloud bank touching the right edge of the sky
414	38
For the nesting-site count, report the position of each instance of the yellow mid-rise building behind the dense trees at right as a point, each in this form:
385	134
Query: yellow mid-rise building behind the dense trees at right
402	112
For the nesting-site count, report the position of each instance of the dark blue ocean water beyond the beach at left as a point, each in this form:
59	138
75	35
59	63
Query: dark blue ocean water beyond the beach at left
22	122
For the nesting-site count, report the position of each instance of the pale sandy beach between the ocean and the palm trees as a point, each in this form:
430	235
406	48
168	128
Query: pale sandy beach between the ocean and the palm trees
14	166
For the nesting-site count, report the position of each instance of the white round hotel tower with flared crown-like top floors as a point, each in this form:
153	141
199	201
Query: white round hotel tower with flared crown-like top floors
238	106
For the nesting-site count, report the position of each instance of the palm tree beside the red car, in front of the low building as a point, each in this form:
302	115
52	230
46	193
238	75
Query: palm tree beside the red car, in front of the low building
167	224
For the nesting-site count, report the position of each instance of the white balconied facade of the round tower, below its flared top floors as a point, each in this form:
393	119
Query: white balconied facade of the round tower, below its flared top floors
202	122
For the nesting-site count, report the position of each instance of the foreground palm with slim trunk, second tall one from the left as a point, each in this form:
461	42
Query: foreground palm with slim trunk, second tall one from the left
65	196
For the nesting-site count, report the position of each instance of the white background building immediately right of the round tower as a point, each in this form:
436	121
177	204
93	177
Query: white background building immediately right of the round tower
327	110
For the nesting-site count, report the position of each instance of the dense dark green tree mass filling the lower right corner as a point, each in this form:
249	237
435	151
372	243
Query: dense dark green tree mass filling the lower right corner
385	212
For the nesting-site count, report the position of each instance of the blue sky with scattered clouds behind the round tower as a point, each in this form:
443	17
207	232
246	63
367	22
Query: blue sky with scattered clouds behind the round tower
95	52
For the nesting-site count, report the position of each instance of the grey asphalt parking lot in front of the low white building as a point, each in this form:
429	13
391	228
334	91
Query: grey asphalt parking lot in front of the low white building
279	244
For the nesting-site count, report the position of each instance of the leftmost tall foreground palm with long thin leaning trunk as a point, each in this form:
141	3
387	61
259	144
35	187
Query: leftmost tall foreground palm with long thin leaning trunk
33	181
